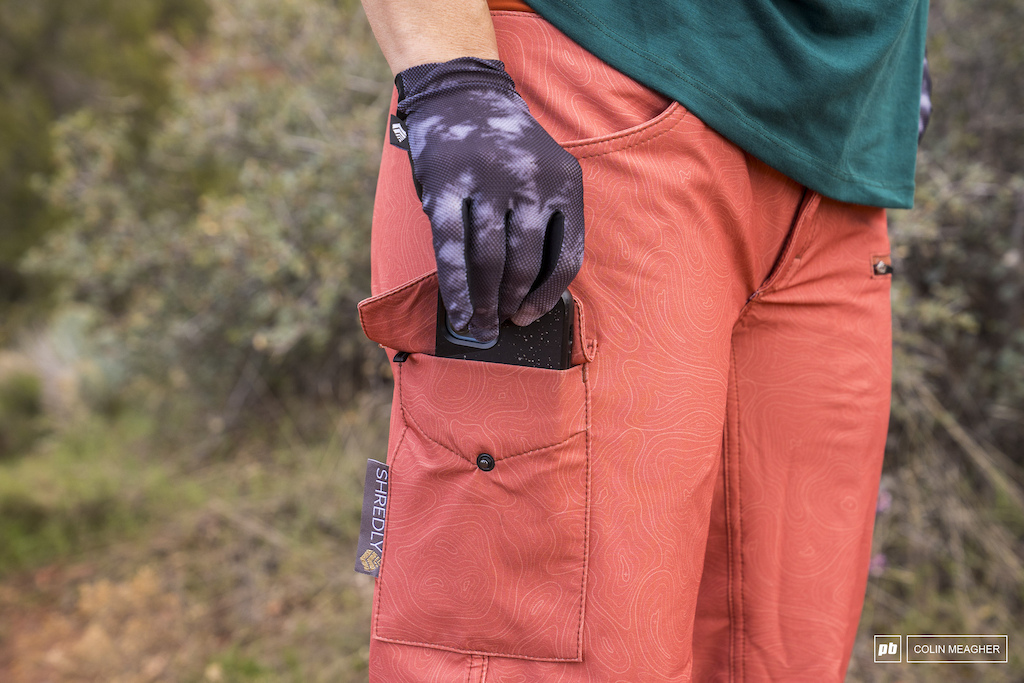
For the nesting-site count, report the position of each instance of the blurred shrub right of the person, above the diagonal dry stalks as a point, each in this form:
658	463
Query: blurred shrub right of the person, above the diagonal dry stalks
959	293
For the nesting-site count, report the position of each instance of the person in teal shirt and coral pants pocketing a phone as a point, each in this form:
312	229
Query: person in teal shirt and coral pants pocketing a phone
694	498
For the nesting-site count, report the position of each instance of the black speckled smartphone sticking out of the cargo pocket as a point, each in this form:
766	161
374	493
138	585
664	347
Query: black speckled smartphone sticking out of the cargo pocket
546	343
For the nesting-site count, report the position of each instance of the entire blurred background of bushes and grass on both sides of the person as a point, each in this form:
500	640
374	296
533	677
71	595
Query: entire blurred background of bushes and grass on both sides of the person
186	191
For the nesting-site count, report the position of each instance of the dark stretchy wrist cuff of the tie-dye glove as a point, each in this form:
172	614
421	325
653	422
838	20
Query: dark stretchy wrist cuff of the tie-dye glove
425	81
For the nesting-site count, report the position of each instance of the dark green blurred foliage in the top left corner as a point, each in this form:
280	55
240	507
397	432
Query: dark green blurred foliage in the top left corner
57	57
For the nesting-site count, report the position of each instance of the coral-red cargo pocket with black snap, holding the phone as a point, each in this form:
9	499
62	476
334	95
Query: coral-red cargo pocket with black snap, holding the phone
486	544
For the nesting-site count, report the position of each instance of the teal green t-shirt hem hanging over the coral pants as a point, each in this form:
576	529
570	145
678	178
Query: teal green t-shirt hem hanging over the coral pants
827	92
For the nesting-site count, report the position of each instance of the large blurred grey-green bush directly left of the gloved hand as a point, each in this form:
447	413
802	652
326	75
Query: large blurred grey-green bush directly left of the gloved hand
228	255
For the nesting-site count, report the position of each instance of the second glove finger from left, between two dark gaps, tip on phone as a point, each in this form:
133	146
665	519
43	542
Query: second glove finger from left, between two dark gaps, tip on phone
484	231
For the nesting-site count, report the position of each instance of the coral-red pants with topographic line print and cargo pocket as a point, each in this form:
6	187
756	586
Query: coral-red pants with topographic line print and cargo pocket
717	506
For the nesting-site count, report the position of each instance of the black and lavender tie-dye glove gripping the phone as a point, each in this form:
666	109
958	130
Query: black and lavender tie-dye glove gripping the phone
505	201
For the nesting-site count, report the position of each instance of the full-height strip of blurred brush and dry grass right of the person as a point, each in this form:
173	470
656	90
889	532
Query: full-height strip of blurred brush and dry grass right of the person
951	525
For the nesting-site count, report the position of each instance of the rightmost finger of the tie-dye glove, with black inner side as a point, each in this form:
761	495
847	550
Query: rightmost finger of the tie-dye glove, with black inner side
563	259
